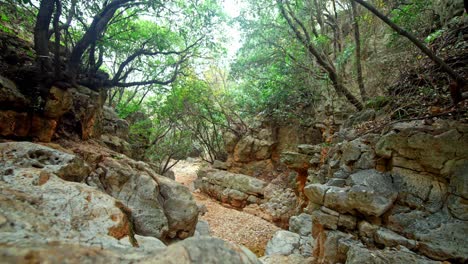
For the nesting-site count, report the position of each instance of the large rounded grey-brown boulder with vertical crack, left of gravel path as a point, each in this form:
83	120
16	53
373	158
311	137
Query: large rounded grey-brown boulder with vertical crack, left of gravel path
160	206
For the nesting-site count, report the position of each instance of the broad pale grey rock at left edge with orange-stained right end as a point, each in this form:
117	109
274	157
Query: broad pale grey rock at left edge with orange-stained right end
42	207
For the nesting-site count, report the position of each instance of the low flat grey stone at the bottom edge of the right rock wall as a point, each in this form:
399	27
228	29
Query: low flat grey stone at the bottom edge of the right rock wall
360	255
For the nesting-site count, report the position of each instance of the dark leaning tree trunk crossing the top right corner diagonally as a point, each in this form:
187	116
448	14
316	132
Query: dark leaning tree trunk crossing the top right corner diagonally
457	77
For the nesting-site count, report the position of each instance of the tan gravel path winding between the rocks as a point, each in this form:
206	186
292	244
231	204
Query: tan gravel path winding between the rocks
227	223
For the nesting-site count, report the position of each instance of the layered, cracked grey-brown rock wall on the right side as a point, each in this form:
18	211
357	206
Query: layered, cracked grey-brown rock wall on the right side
400	196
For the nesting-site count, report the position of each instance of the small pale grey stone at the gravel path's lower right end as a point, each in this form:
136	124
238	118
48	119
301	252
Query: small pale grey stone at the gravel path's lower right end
283	243
